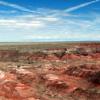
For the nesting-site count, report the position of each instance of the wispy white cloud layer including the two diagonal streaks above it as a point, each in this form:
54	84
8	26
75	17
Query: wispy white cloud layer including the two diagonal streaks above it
52	24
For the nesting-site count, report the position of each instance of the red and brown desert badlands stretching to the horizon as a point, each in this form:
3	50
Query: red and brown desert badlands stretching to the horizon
50	71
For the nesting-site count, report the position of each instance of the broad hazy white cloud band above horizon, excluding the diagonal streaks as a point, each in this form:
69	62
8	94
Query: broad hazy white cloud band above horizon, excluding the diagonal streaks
53	28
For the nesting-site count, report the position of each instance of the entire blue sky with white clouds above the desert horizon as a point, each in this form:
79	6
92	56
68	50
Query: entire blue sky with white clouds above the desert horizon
49	20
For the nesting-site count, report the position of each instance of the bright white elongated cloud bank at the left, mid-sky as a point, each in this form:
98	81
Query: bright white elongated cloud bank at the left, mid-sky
20	24
